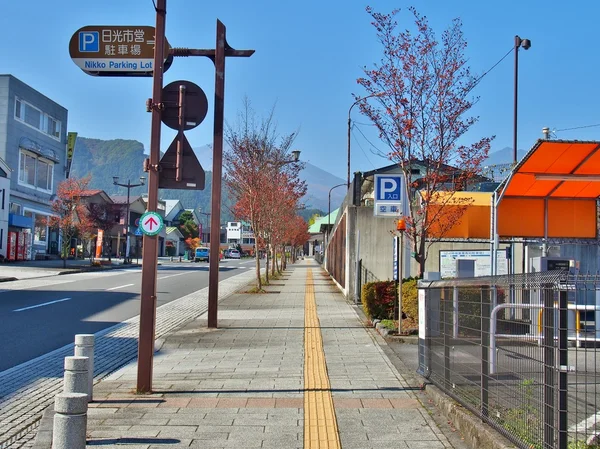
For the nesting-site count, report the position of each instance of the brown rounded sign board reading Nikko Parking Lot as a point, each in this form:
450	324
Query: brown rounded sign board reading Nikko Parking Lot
114	50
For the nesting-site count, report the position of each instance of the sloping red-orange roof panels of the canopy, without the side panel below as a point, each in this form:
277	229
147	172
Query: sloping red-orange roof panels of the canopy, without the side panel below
557	169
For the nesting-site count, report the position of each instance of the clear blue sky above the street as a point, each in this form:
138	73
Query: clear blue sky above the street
308	57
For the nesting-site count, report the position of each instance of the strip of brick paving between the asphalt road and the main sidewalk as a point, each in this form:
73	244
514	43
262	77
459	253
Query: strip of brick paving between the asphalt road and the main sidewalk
26	390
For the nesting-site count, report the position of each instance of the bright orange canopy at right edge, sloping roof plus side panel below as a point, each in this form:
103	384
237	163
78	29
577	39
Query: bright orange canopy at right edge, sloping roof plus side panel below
552	192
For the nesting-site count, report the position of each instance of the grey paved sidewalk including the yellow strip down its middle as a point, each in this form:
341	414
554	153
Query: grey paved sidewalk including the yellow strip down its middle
292	365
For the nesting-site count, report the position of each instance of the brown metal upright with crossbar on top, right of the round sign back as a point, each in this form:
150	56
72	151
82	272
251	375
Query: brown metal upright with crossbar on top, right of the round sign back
213	276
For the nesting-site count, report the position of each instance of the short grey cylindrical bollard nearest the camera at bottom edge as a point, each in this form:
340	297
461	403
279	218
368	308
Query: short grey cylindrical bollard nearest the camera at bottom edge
70	421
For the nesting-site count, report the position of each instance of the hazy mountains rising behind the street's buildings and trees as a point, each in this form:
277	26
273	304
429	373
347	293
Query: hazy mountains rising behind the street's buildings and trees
103	159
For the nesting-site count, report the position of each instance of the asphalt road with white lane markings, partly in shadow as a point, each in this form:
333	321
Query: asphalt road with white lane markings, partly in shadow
40	315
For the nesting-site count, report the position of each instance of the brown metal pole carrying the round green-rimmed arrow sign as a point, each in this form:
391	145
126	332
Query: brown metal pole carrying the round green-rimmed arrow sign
149	256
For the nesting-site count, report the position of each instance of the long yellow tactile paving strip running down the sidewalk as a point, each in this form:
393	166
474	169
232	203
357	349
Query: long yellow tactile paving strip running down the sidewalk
320	425
